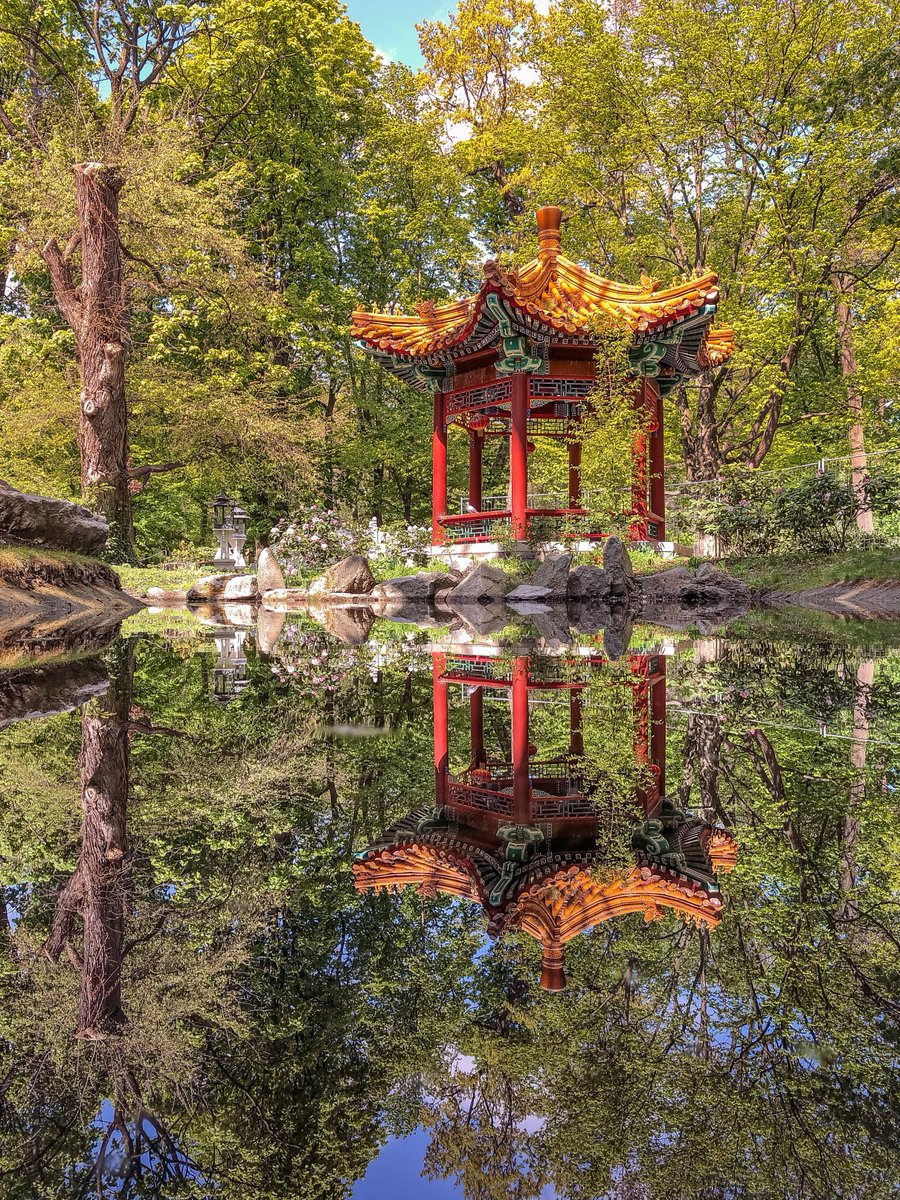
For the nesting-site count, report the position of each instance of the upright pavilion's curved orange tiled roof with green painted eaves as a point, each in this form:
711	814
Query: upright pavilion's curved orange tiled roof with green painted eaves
551	301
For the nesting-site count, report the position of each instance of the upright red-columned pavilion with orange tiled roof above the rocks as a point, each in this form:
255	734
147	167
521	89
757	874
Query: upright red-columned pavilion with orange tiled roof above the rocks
517	362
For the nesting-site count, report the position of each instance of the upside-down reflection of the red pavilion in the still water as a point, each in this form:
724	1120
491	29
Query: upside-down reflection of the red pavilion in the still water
520	837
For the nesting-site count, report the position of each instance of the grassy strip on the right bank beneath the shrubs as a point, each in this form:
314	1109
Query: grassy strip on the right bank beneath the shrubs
800	573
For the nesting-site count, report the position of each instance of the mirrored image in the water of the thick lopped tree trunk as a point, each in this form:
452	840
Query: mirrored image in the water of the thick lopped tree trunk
100	889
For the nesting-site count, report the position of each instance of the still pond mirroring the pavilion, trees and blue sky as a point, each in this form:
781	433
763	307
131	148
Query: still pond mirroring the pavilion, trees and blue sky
447	916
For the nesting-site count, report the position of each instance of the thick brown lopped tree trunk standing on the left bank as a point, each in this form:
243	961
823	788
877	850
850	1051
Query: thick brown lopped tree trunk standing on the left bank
97	309
